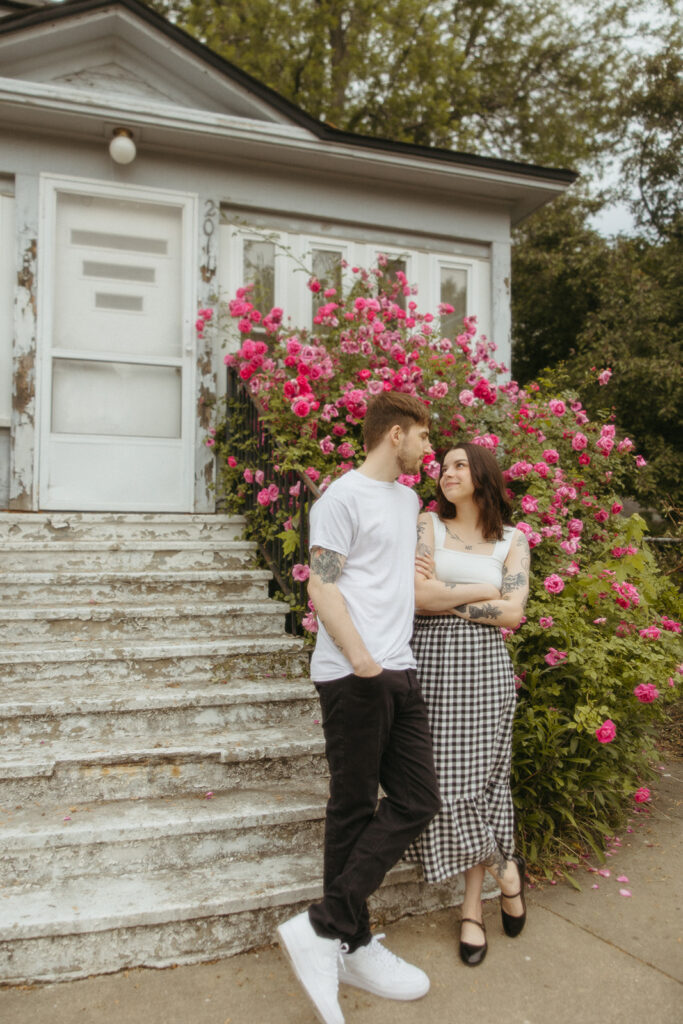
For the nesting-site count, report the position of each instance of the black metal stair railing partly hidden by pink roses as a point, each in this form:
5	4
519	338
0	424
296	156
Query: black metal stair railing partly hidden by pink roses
245	429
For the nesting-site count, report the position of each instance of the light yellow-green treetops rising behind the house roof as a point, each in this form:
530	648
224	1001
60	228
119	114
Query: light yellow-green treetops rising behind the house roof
538	81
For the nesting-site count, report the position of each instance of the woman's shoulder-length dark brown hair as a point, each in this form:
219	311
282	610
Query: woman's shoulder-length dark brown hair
490	491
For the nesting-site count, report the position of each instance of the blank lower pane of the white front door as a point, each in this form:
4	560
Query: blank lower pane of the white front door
125	400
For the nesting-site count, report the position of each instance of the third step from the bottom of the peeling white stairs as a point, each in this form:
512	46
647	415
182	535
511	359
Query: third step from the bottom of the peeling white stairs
59	771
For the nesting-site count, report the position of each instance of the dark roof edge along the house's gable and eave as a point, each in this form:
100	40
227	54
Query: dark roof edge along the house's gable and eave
271	105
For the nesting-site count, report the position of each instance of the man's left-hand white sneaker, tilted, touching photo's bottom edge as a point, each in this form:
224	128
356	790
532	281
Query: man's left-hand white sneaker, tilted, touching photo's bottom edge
316	963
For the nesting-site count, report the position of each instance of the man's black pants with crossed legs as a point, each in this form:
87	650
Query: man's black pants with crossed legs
376	733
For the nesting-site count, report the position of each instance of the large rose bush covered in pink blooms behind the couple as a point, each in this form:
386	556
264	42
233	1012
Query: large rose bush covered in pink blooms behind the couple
596	657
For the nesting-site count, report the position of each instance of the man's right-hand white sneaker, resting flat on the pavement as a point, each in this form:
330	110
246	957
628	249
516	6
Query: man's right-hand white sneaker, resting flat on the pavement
377	970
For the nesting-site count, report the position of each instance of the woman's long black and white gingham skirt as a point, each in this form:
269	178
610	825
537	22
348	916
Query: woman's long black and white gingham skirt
468	685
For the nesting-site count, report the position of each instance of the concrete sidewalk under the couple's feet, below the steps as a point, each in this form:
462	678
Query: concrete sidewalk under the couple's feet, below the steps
592	957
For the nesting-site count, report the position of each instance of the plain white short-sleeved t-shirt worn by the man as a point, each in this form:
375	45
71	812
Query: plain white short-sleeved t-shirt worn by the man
374	526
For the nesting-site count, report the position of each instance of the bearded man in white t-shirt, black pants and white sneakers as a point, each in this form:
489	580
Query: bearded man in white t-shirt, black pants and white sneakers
363	540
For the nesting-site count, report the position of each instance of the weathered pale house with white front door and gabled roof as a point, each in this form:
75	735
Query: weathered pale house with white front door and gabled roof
104	263
